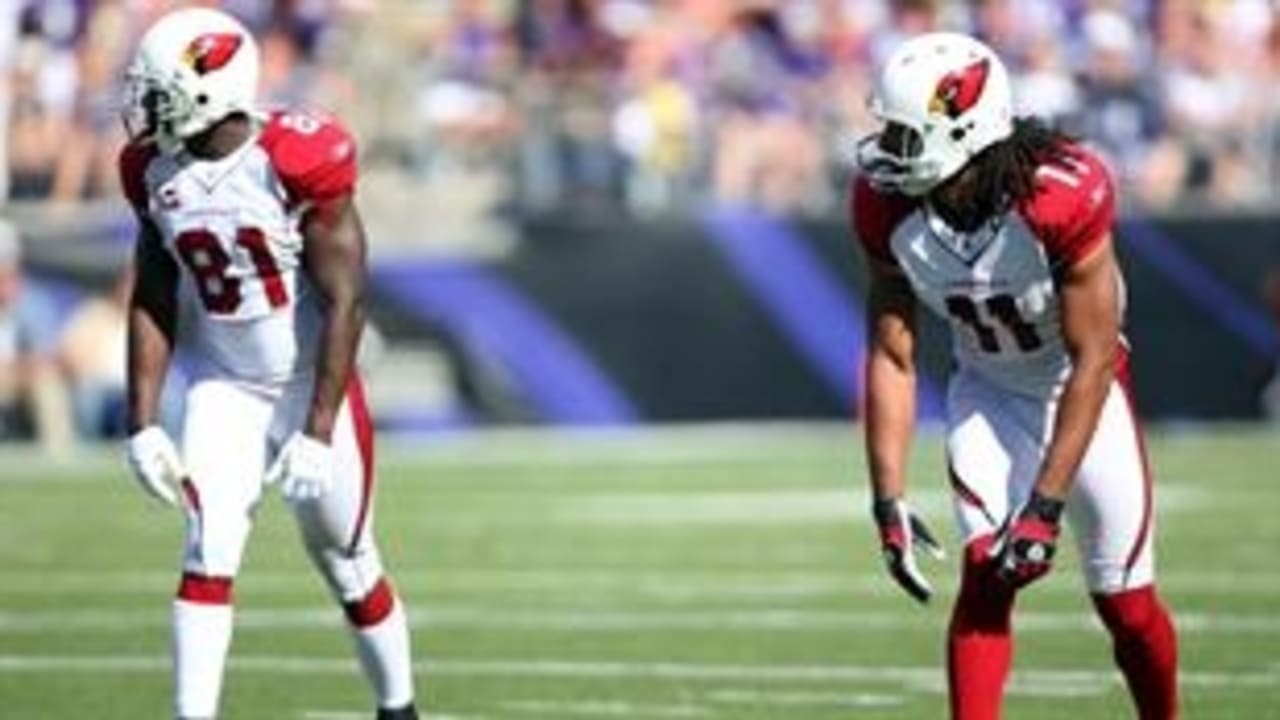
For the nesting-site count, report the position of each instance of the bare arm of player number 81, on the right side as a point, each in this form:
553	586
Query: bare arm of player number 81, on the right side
335	261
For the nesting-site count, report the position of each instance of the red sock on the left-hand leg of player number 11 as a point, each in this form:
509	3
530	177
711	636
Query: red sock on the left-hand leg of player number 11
980	644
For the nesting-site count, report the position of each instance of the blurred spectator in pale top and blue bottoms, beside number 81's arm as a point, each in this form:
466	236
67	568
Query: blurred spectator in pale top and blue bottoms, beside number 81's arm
93	353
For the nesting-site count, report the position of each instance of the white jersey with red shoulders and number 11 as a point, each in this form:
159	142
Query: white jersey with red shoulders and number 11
998	288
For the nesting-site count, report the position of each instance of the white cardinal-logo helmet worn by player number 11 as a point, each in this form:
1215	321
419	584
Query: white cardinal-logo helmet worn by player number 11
944	98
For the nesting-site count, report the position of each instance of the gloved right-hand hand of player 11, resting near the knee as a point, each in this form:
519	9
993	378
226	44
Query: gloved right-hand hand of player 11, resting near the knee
1025	546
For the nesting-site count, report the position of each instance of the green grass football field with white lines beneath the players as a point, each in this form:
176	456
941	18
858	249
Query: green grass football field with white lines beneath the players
684	573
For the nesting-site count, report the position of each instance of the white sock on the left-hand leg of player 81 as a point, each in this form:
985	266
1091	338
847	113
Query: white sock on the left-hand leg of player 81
202	637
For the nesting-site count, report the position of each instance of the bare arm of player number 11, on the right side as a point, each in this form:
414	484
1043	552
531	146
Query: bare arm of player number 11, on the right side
1091	332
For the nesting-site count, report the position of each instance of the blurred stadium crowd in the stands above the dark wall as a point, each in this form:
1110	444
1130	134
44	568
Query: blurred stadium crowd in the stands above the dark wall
659	104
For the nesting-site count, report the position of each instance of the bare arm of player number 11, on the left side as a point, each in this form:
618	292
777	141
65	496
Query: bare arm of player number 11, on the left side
890	380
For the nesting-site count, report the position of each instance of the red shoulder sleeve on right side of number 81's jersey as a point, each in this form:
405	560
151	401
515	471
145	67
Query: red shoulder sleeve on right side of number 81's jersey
313	154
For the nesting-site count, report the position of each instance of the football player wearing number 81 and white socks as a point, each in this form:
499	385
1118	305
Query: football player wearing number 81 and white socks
252	258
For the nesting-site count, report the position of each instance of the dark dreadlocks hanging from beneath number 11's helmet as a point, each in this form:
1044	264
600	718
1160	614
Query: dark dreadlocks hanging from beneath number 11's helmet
1005	172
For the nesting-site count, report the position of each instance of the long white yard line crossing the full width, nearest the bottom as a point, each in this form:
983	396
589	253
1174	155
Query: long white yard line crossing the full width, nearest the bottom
915	678
